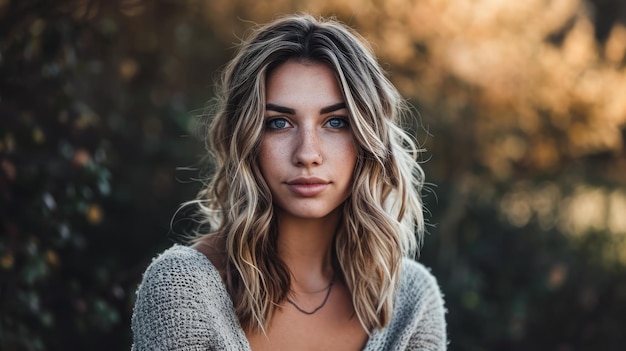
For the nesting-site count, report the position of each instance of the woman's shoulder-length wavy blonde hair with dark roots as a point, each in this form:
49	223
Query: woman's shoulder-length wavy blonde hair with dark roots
382	219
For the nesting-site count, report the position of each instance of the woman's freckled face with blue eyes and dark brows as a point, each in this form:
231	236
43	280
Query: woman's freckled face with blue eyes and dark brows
307	153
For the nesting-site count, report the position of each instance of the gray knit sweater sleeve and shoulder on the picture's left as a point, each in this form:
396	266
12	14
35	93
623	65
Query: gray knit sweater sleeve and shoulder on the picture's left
181	306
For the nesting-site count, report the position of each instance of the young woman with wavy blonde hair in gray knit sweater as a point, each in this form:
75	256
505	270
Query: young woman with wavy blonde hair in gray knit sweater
312	211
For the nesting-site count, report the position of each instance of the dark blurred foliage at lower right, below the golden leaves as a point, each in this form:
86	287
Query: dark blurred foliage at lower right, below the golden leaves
526	288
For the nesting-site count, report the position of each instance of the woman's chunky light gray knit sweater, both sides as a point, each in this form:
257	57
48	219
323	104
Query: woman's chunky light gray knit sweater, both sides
182	304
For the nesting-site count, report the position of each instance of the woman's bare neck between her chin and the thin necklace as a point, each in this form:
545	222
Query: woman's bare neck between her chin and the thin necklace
305	246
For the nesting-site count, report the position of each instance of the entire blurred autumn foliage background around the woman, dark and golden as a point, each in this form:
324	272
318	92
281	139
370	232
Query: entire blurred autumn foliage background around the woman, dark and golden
522	112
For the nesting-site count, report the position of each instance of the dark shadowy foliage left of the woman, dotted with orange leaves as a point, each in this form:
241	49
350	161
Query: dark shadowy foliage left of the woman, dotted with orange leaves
92	133
